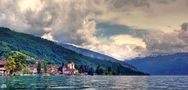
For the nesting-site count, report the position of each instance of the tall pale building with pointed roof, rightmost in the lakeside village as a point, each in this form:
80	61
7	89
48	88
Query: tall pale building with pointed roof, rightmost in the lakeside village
69	69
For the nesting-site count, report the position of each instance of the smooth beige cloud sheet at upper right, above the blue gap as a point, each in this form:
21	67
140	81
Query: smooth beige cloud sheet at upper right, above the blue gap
163	15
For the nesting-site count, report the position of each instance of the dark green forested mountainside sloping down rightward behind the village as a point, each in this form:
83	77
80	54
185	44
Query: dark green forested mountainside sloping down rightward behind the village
49	51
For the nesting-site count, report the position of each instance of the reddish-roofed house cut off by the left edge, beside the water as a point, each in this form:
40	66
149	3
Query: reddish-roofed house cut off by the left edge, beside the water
3	71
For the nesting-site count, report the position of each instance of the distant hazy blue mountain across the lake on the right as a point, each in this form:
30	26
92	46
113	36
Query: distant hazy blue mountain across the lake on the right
174	64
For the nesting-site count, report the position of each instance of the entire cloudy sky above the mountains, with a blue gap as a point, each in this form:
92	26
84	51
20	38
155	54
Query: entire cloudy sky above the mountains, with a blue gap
123	29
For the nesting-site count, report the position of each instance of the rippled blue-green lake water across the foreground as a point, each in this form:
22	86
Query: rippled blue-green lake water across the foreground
96	82
